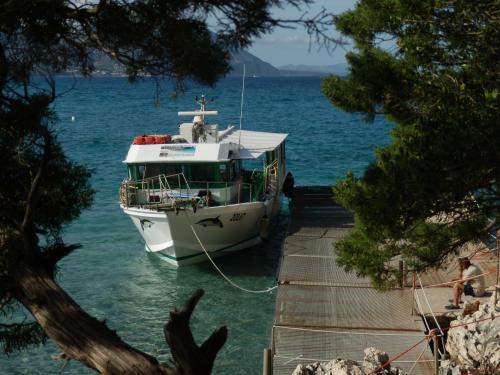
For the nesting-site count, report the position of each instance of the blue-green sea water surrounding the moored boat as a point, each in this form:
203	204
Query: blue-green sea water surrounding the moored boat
114	279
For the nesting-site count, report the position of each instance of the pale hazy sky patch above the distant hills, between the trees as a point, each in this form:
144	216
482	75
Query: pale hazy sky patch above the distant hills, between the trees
285	46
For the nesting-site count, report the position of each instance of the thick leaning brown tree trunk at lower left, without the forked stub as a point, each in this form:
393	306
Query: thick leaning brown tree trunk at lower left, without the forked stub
80	336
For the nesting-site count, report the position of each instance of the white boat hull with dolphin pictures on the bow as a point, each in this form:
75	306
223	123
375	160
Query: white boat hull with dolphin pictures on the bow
220	229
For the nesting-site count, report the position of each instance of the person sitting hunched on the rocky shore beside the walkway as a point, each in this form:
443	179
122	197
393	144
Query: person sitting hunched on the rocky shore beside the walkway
471	282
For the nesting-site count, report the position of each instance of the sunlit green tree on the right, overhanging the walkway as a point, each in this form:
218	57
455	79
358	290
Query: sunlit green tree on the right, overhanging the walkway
431	68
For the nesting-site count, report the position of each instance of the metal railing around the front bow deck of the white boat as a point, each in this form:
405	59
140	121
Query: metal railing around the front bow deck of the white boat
158	192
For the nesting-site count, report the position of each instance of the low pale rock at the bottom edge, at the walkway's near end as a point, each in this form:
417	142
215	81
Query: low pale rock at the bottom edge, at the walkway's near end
374	358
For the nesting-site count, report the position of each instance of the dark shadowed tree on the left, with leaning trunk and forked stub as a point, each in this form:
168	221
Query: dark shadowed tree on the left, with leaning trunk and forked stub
41	190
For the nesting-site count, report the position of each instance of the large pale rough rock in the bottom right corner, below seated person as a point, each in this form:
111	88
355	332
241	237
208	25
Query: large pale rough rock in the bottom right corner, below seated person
472	345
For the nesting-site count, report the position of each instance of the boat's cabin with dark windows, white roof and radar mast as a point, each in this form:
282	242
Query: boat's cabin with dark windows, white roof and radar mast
225	167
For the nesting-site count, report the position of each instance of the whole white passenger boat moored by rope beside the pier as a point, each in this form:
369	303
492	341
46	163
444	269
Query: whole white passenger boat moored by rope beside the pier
205	191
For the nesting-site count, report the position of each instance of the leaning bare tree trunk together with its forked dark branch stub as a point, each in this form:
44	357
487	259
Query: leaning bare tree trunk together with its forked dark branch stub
90	341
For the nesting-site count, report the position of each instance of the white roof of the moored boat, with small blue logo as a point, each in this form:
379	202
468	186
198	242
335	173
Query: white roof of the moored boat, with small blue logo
252	145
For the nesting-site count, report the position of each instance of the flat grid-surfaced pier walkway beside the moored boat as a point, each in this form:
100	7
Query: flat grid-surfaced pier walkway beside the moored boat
323	312
